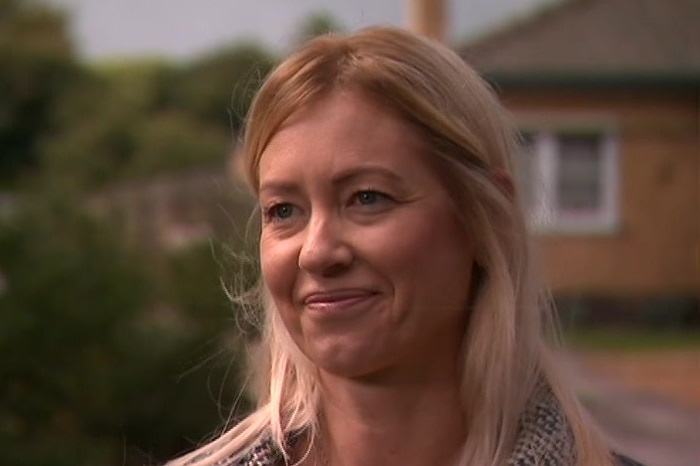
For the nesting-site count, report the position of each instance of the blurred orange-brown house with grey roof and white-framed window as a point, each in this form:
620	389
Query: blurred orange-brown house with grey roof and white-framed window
606	94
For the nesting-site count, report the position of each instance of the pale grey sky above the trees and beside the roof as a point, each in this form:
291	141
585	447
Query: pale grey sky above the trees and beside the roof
182	29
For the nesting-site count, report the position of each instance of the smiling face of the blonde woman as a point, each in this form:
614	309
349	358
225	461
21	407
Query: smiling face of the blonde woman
361	250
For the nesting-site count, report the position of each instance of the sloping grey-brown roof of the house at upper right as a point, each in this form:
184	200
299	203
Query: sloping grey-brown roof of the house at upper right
595	41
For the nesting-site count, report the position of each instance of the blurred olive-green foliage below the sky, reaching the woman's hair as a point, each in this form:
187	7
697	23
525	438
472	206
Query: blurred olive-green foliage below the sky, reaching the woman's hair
144	118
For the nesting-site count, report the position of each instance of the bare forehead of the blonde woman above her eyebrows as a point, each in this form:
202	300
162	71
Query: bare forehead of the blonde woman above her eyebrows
339	132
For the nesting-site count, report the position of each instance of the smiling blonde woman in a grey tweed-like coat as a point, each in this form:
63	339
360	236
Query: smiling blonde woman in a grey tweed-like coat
403	323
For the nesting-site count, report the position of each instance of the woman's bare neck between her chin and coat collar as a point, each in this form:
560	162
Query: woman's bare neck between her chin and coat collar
414	418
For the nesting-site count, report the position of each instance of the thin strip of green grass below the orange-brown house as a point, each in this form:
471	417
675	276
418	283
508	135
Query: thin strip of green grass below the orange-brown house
632	339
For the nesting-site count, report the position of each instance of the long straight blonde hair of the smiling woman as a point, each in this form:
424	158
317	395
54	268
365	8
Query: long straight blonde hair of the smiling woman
470	140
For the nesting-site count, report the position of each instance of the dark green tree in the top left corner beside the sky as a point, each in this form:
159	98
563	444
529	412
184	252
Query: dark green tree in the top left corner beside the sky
37	63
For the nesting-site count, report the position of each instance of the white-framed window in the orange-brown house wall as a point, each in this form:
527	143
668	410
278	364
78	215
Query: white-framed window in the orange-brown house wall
569	180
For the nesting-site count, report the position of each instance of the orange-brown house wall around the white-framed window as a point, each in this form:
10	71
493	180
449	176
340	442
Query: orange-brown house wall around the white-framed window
655	249
